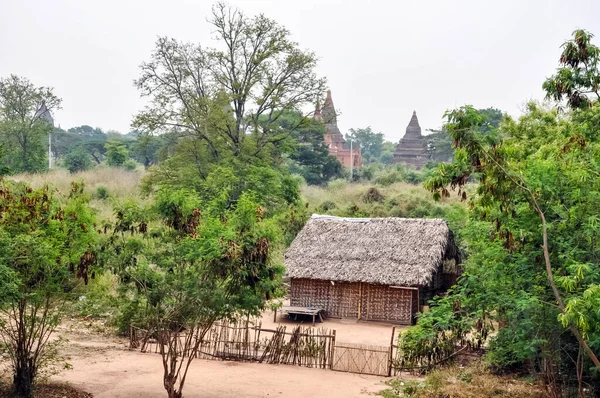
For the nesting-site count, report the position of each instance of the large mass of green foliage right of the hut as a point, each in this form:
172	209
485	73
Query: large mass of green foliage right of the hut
537	174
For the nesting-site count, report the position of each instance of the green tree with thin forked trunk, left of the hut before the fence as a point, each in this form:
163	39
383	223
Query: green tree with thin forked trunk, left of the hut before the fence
200	267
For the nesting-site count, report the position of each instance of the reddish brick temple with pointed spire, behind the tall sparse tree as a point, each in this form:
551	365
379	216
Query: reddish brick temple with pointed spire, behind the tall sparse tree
334	139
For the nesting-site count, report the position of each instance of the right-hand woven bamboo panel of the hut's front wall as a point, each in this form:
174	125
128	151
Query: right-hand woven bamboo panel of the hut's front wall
383	303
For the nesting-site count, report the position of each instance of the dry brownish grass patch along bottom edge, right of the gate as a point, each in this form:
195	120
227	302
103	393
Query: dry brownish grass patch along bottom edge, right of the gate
470	382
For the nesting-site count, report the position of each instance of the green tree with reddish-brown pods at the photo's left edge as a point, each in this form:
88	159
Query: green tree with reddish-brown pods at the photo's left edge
43	245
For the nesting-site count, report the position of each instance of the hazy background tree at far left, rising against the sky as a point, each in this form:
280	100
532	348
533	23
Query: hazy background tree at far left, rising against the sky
24	127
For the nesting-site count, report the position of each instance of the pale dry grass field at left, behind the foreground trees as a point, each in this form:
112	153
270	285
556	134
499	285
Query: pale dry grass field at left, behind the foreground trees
120	183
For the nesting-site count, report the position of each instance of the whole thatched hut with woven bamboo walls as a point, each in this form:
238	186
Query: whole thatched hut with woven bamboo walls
382	253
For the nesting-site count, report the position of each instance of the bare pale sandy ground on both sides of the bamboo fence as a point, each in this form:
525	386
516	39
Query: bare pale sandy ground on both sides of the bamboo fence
103	366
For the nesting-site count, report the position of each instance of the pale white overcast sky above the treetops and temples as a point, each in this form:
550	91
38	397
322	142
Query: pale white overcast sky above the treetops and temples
383	59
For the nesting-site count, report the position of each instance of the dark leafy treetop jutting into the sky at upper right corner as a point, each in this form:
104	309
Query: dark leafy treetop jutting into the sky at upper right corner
577	79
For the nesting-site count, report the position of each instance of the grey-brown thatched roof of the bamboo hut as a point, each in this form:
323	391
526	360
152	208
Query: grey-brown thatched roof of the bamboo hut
389	251
